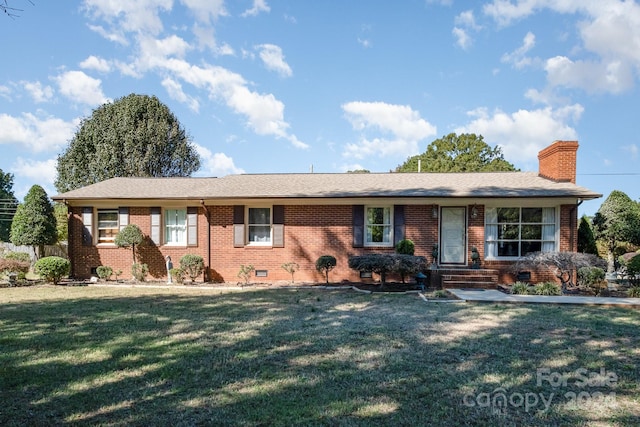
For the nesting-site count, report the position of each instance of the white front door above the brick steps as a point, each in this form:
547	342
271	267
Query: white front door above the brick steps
453	236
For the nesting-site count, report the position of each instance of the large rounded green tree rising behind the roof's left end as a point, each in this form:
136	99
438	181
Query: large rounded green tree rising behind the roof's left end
134	136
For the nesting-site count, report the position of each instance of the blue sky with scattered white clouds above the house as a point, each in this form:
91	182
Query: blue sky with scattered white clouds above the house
282	86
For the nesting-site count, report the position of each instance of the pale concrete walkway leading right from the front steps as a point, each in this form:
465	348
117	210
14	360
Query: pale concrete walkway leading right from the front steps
490	295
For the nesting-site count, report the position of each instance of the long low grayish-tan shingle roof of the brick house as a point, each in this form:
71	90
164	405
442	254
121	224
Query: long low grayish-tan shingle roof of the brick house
338	185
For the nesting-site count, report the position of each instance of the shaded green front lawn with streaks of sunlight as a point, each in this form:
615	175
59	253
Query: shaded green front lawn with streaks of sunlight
143	356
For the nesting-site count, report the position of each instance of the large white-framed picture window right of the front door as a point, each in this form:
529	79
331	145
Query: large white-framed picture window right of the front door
512	232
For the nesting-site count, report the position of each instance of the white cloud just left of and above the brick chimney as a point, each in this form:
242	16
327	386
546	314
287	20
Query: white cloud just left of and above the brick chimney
522	134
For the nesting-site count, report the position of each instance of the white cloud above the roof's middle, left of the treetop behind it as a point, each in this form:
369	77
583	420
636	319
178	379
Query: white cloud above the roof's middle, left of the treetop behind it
404	125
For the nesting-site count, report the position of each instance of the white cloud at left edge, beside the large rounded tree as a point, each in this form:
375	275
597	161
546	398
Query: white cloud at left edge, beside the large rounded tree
36	133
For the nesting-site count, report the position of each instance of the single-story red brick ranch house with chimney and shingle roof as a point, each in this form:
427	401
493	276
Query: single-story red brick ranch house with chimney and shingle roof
267	220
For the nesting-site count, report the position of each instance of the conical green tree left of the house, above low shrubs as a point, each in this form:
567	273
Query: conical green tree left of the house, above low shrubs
34	223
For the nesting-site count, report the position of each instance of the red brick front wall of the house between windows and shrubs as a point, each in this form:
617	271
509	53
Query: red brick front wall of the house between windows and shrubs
310	232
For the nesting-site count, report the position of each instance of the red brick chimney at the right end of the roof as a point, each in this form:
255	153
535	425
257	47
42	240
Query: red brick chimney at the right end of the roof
558	161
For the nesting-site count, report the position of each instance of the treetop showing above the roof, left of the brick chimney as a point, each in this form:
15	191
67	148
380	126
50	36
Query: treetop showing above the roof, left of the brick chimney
458	153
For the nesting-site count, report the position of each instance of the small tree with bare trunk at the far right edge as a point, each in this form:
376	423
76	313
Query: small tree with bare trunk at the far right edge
617	221
